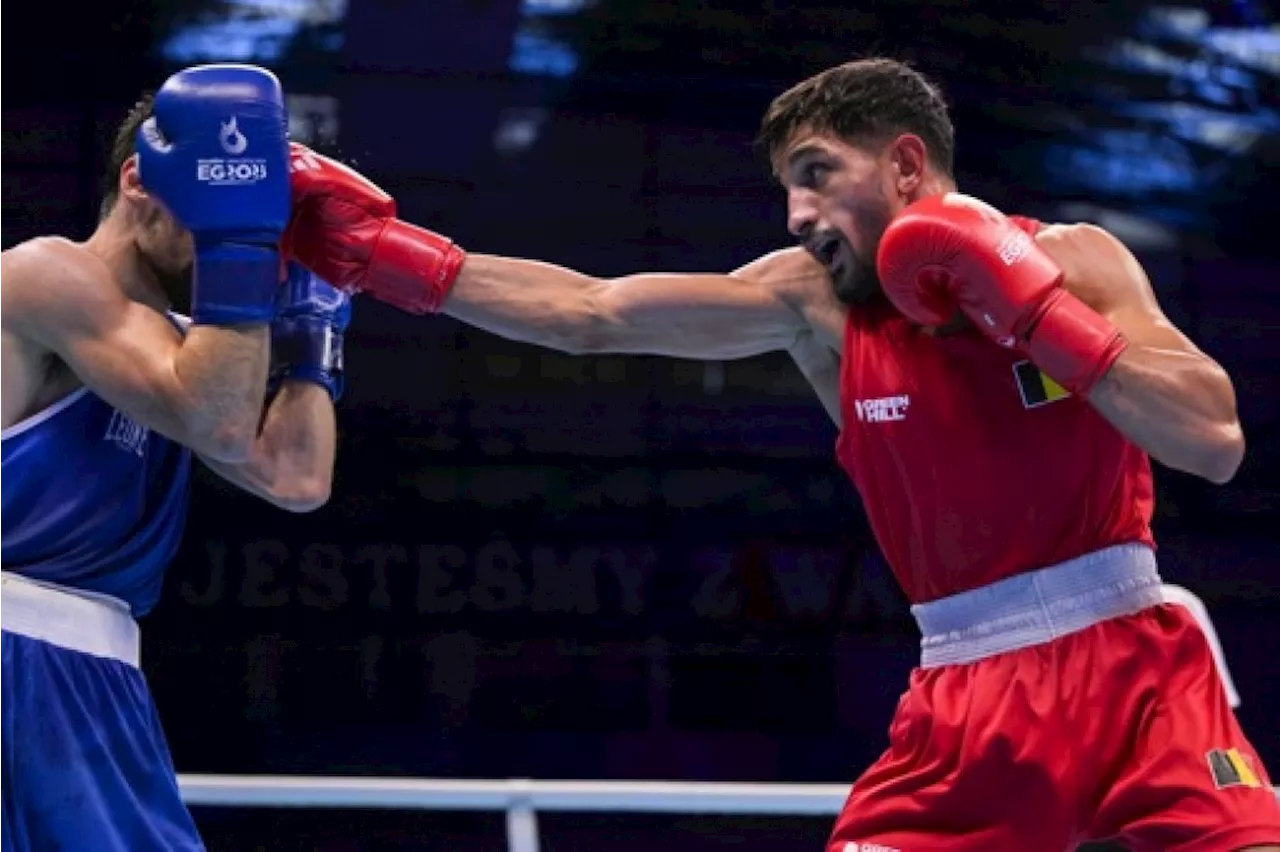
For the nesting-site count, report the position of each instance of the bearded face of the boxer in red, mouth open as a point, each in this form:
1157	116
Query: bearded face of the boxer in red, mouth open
842	198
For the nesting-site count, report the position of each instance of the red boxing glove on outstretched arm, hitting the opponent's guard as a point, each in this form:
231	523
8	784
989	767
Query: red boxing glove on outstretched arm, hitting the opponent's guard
345	231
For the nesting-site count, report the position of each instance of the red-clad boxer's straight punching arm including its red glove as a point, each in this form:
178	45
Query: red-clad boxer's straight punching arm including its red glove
346	231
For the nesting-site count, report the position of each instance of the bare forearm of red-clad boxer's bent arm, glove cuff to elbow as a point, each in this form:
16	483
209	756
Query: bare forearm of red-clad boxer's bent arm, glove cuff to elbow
1177	406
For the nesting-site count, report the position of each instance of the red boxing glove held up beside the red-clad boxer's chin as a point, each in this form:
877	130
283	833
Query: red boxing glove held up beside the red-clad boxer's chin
954	253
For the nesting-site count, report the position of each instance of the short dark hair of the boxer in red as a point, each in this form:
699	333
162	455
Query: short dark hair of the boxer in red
867	102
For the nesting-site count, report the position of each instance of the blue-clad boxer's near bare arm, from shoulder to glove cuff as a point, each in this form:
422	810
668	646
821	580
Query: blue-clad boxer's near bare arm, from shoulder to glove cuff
204	391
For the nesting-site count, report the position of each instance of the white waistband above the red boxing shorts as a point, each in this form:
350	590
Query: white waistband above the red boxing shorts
1039	607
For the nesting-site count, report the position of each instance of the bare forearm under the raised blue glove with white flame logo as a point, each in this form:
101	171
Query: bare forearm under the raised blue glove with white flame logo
222	374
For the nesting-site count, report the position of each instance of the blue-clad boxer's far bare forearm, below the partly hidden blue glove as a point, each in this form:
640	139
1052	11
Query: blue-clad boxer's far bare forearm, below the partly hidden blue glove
291	462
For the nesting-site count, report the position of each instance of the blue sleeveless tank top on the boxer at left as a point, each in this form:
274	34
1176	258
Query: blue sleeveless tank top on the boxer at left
92	501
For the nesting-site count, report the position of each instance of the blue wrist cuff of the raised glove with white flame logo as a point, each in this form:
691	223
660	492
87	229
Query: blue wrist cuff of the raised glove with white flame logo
235	285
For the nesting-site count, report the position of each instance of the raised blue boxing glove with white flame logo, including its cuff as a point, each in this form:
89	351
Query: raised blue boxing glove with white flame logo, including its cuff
216	153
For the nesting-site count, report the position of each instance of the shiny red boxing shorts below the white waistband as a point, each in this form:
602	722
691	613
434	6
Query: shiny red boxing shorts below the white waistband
1121	731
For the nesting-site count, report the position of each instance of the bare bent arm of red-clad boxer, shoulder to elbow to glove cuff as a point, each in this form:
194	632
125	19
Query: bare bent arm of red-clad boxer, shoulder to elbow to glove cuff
1163	393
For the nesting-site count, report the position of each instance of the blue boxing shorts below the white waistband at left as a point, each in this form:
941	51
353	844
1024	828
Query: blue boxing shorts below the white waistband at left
84	763
